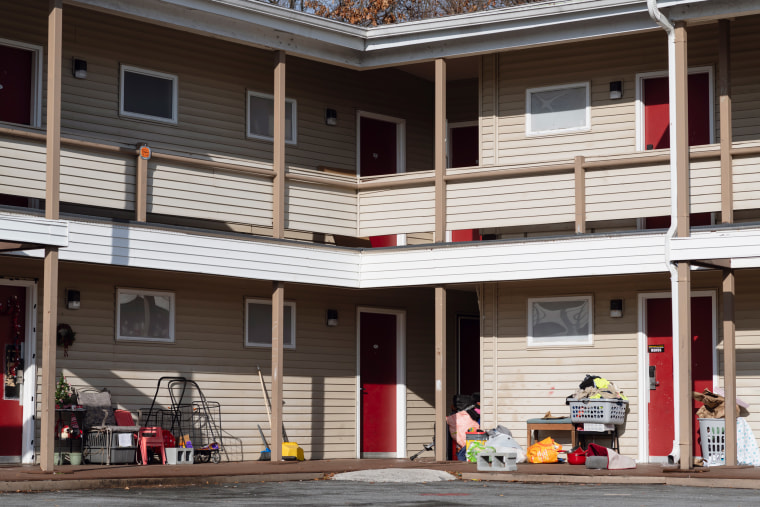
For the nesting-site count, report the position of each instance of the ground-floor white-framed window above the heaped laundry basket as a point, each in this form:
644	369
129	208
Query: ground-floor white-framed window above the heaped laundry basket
560	321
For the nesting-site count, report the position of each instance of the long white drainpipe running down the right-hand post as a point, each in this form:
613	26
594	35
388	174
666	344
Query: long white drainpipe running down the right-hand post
662	20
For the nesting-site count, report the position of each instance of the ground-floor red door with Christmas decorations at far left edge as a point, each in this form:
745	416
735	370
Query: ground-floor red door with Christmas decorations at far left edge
12	321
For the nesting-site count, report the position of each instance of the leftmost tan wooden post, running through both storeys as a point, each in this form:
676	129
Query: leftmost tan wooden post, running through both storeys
52	200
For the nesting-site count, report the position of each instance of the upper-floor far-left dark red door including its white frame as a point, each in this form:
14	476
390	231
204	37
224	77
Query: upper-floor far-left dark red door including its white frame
21	83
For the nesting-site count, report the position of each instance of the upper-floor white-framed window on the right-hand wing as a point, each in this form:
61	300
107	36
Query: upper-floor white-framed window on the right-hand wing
557	109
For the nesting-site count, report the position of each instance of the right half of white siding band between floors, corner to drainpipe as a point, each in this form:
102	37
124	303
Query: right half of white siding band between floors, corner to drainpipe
529	260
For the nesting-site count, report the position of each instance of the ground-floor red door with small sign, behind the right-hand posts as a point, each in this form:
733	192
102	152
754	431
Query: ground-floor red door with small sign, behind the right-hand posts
660	351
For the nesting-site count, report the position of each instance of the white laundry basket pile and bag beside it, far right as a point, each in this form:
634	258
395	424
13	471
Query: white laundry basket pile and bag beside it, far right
712	429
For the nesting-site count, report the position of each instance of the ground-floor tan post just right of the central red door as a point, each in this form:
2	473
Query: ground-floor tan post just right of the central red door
441	403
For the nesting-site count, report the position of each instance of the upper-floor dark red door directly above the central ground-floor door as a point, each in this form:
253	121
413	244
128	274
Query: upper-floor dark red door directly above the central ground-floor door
377	147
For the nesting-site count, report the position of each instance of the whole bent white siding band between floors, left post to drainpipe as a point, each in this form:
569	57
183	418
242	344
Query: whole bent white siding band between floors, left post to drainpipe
290	261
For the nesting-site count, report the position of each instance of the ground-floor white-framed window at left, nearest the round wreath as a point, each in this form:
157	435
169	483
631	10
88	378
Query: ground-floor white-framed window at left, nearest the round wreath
144	315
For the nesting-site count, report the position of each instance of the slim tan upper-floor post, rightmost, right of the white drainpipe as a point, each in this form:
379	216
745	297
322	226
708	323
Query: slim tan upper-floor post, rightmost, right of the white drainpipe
726	127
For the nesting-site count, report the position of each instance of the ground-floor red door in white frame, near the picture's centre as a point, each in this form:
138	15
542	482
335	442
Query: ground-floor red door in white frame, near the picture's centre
377	368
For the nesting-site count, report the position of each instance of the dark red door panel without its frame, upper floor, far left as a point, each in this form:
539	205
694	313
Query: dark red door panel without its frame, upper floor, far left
16	82
